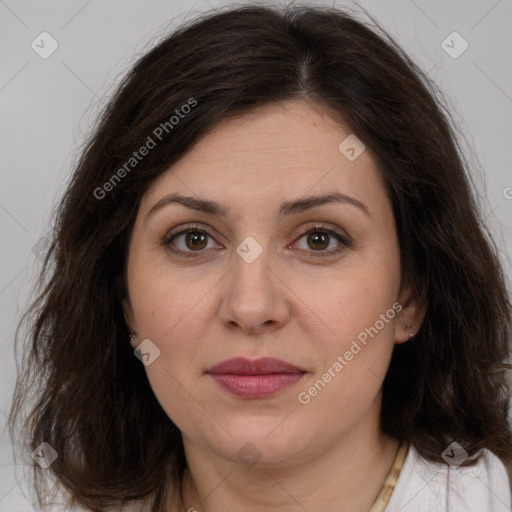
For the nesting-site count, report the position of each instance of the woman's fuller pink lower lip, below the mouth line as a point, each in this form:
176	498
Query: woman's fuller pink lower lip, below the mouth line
255	386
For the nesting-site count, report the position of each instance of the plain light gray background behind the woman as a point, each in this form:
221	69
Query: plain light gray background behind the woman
48	105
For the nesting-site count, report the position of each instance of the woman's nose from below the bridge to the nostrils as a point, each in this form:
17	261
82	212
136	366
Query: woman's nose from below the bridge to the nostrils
255	297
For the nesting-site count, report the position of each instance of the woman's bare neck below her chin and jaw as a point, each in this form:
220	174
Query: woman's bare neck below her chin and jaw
349	474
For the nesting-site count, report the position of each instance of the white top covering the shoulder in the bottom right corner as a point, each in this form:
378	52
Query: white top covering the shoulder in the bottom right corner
425	486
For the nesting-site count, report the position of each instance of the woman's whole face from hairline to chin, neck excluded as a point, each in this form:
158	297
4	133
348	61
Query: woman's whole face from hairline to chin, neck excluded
315	285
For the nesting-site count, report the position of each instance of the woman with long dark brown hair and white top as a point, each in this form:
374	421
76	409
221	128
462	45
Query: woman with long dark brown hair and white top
270	288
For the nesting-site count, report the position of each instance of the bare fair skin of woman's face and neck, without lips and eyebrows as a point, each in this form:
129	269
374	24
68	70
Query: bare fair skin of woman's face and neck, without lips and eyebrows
287	303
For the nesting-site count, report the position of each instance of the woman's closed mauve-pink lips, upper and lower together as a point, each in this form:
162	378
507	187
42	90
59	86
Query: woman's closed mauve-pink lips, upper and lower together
256	378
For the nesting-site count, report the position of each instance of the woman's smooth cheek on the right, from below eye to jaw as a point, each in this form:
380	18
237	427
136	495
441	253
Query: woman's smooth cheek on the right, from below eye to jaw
360	313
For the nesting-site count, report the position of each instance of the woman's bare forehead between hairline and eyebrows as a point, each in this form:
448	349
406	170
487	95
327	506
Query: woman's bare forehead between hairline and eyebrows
279	150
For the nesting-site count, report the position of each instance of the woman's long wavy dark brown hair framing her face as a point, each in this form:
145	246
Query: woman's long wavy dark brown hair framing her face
92	401
